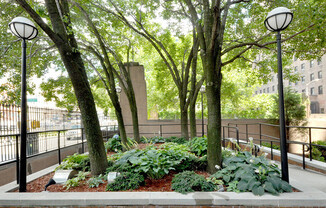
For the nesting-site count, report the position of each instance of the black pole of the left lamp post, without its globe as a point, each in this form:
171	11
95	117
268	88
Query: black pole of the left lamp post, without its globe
23	131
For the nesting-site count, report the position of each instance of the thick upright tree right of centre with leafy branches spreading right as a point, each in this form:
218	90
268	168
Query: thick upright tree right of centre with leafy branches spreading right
228	30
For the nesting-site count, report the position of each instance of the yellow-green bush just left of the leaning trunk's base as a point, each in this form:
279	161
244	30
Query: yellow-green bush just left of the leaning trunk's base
76	161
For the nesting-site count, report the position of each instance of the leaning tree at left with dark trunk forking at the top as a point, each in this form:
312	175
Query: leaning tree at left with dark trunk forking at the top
60	31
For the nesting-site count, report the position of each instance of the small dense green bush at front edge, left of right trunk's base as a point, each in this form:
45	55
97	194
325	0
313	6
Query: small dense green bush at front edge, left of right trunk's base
189	181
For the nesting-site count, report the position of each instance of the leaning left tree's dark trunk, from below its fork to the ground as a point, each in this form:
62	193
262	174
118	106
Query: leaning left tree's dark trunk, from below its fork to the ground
75	67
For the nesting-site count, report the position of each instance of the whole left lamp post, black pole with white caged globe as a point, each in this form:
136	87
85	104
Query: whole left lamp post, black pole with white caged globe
24	29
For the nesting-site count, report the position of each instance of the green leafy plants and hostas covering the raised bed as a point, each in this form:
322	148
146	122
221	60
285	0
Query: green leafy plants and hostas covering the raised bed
241	171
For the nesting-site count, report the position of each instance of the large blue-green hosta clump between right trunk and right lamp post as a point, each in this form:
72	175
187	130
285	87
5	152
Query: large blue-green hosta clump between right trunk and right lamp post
244	172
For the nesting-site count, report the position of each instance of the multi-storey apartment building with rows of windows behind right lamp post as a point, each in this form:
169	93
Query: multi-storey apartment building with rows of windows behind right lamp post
312	83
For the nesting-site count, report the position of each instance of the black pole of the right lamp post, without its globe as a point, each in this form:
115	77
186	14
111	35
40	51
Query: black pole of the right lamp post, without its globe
284	156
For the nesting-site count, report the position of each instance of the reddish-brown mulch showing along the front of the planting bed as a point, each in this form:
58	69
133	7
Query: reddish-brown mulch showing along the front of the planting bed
160	185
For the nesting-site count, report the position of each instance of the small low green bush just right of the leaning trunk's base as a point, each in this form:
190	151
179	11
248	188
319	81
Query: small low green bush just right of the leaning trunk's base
126	181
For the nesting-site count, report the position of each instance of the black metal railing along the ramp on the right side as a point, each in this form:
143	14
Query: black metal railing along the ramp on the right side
307	147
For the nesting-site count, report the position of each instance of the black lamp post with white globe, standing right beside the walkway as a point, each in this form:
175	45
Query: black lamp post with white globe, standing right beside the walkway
277	20
